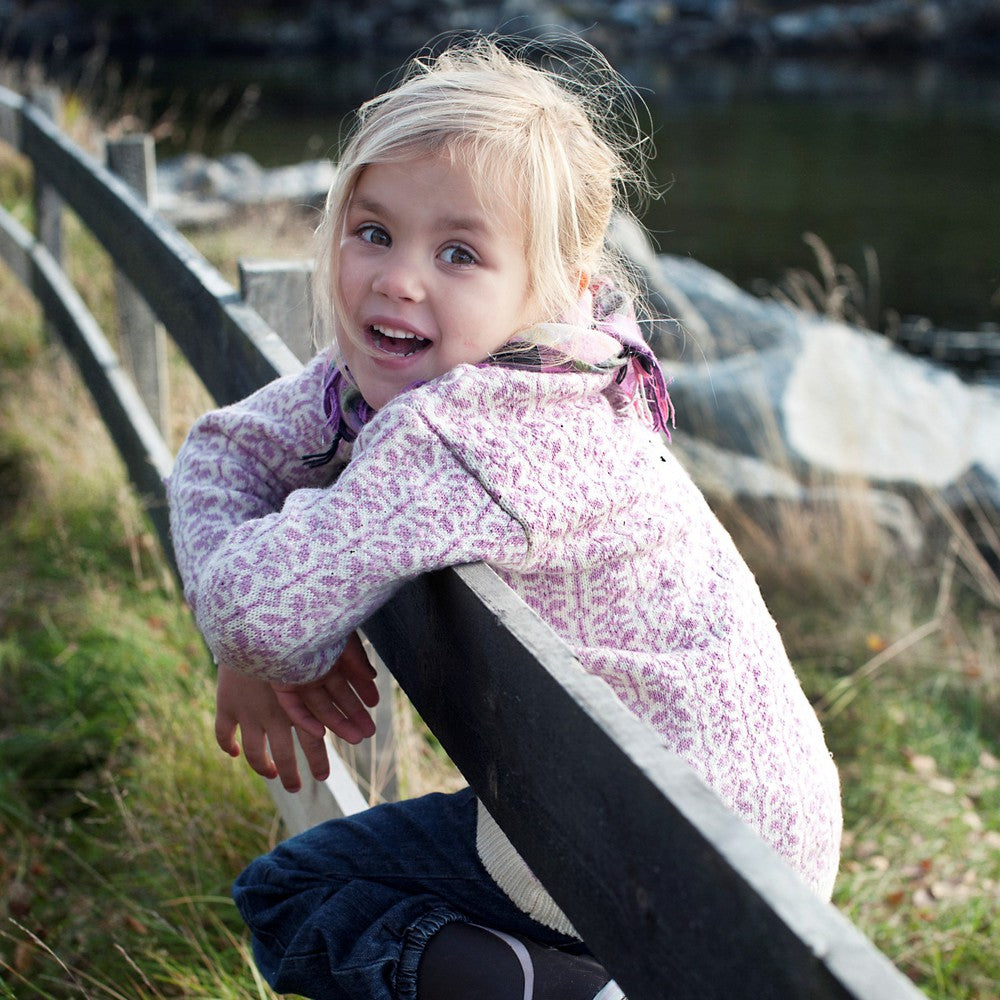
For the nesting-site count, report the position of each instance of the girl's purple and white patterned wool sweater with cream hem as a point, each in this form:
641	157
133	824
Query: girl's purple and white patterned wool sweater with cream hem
552	480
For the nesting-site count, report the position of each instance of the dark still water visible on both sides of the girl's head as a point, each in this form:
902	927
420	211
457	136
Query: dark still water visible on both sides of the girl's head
902	158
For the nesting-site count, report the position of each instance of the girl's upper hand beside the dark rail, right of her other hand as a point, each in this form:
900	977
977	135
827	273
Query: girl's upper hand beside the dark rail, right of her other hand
337	701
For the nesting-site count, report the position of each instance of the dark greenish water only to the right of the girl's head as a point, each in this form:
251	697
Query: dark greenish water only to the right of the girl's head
904	160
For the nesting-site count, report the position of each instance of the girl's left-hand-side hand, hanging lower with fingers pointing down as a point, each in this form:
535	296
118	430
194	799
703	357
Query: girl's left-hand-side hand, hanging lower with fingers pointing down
251	705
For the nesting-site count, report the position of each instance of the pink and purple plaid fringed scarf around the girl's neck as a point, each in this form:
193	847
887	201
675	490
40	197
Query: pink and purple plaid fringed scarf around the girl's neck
610	342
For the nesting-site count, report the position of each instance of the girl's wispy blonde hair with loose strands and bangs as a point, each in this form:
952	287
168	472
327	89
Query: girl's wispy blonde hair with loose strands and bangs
558	129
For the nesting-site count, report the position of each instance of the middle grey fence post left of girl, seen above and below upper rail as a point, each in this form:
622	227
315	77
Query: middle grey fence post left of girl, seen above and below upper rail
143	341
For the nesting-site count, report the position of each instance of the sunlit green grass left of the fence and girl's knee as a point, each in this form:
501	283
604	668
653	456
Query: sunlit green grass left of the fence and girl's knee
121	825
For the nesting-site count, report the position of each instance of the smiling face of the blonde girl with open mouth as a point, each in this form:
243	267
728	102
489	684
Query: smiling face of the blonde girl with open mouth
432	274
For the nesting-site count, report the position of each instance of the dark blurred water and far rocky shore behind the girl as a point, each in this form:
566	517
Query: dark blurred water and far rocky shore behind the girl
874	125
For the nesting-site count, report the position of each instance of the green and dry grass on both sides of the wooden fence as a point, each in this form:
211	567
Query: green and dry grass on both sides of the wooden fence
122	826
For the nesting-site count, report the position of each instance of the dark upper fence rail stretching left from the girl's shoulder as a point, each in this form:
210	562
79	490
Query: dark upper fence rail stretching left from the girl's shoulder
228	344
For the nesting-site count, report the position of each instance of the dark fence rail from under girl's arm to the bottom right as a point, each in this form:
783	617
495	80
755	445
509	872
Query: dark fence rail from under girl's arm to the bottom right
673	892
